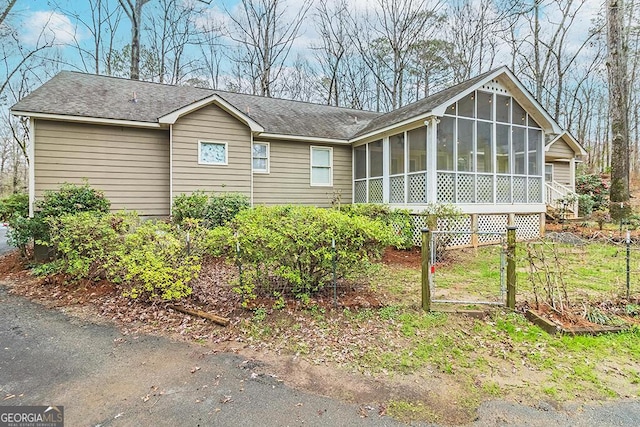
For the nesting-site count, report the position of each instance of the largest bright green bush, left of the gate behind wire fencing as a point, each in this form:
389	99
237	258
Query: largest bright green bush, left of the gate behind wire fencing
288	249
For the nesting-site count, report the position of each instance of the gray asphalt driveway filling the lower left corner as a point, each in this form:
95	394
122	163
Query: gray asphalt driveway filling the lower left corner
102	377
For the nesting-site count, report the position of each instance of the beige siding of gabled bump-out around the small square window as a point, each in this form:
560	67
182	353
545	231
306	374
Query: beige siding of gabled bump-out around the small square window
215	125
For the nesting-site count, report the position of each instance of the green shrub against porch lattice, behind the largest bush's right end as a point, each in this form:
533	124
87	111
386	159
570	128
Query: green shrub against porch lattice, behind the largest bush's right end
399	219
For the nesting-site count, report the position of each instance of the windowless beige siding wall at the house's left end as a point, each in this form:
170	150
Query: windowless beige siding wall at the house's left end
130	165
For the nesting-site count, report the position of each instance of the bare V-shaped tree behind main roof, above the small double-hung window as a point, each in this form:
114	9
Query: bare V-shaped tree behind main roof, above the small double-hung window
264	31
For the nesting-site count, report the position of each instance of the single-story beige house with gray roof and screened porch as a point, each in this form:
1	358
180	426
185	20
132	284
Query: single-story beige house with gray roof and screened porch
479	145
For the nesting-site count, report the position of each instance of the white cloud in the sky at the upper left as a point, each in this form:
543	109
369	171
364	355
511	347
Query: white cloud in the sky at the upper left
48	27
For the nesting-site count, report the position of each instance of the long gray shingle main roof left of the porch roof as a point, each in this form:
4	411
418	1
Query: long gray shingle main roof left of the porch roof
87	95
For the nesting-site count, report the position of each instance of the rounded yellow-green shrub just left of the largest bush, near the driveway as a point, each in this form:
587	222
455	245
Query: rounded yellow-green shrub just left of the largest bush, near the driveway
153	262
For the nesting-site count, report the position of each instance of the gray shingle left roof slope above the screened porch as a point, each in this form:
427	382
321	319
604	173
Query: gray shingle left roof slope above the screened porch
420	107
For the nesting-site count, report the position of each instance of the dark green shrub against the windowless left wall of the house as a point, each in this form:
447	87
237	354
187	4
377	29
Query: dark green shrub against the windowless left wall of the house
72	198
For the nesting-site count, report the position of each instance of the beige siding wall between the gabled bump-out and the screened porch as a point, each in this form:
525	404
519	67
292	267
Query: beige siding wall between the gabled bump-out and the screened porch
289	177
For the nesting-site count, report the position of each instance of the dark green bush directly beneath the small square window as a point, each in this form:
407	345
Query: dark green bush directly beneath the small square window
213	211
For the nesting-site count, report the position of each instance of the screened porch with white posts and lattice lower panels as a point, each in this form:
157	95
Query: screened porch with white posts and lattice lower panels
483	153
